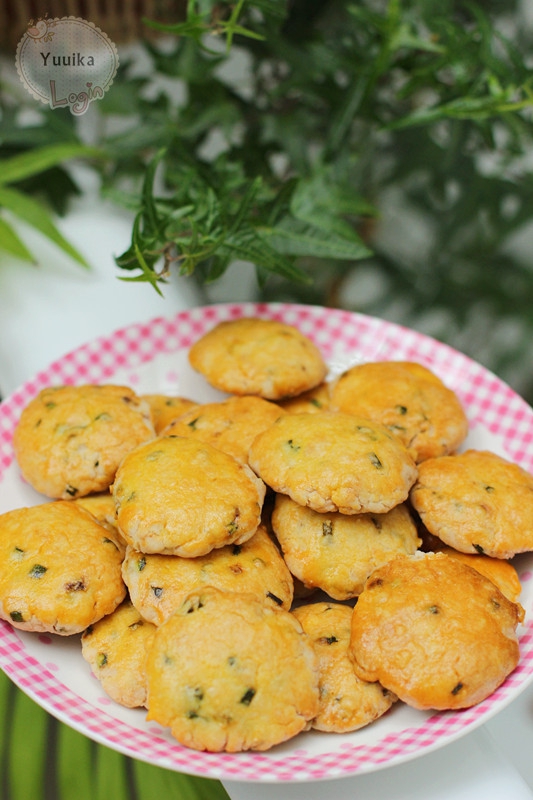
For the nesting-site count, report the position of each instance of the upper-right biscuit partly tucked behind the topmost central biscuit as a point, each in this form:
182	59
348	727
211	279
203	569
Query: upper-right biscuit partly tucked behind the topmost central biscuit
409	399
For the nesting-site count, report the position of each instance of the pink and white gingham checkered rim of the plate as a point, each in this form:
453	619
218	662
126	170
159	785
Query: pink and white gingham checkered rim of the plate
489	402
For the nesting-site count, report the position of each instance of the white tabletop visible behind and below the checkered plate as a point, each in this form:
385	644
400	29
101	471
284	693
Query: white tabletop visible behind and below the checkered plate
50	309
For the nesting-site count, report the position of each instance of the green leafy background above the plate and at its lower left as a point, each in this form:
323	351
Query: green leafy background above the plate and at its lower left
373	155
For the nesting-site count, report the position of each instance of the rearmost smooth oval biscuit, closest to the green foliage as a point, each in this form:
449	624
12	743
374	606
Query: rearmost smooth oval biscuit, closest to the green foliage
258	356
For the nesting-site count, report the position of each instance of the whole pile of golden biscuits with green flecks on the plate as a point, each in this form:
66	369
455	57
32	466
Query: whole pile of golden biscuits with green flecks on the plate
305	553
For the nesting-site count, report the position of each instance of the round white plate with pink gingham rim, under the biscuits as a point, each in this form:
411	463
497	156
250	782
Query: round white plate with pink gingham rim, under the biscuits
152	357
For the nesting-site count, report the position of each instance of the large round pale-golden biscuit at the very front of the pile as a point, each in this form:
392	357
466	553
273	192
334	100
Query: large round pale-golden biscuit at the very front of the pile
228	672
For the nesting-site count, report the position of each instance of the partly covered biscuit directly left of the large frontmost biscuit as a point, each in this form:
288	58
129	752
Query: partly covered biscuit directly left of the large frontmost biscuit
116	647
